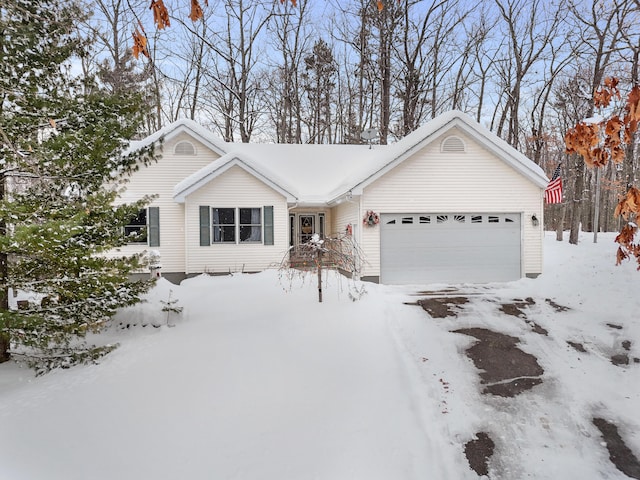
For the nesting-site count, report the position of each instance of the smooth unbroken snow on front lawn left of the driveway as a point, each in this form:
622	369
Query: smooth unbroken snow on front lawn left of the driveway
253	383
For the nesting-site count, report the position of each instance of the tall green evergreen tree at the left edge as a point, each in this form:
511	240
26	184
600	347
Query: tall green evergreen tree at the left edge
63	154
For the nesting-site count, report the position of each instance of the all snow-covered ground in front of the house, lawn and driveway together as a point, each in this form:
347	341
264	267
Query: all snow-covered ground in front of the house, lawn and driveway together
259	381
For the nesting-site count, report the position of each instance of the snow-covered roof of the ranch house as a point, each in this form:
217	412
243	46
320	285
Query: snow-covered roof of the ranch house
320	174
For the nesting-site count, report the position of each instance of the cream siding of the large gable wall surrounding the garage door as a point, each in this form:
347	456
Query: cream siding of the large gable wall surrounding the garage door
451	182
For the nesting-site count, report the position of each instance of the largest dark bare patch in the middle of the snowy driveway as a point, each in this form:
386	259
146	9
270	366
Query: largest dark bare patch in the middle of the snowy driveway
507	369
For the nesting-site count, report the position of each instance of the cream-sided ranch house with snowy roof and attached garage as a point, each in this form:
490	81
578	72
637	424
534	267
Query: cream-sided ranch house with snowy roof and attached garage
454	203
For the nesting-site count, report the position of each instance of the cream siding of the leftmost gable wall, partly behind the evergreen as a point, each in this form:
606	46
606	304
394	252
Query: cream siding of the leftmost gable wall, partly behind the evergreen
158	179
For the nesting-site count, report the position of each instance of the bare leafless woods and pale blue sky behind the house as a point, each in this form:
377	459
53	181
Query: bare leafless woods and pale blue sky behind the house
324	71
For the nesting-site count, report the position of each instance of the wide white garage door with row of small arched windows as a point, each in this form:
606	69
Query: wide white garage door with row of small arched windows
449	248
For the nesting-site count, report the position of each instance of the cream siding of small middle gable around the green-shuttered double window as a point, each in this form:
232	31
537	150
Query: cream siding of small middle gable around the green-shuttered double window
235	189
